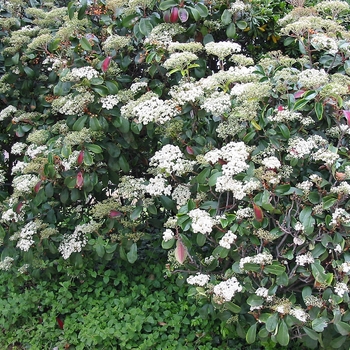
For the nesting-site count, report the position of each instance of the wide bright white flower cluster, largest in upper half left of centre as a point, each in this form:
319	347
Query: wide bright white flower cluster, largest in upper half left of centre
154	110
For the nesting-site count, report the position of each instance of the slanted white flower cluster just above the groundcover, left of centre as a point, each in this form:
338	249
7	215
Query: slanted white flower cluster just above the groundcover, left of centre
77	240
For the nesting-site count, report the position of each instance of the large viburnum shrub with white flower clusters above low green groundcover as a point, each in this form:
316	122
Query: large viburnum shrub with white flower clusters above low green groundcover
123	121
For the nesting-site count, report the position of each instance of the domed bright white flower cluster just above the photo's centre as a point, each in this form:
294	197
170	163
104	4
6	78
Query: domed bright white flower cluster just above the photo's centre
169	160
